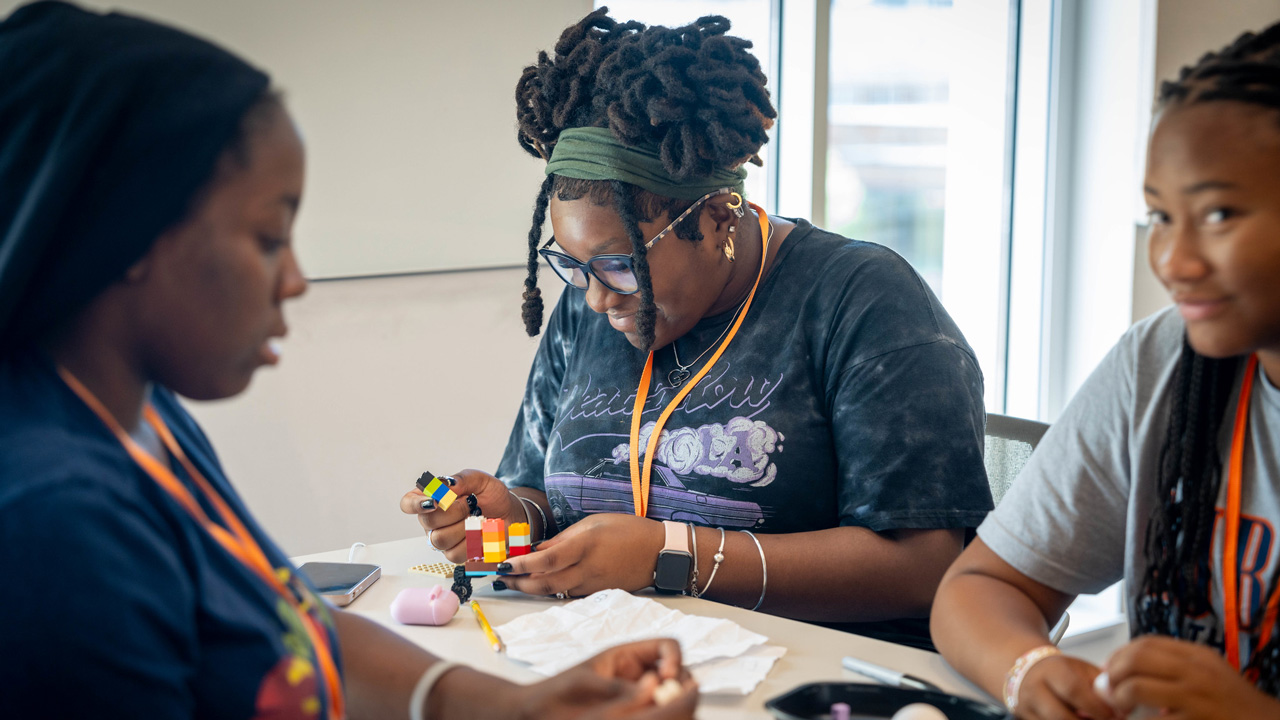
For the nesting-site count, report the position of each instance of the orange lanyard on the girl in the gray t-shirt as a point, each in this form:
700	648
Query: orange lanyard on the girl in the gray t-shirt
1232	532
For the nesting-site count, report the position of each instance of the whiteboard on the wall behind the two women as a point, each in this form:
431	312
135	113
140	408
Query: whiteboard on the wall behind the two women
408	111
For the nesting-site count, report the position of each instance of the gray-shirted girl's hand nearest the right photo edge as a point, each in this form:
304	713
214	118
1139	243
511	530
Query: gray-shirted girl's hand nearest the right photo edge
1187	681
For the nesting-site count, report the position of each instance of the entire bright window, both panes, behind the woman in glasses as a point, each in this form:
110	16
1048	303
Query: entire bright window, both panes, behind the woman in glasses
895	126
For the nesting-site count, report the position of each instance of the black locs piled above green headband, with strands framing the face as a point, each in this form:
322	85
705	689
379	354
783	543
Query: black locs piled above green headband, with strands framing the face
694	93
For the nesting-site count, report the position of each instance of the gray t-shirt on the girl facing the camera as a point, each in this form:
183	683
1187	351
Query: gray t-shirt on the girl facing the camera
1077	517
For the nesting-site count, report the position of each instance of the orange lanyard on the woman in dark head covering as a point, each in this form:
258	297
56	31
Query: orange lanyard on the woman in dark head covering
237	541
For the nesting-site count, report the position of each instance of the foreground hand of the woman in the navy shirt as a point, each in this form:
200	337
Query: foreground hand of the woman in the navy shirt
618	683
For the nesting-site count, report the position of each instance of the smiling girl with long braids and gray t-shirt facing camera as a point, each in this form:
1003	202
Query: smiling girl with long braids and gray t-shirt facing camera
1165	468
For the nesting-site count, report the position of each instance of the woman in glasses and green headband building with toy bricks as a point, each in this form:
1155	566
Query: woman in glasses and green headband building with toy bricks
793	409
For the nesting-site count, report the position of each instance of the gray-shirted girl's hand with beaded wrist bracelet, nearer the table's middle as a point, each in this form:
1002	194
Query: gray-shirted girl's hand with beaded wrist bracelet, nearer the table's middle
1062	689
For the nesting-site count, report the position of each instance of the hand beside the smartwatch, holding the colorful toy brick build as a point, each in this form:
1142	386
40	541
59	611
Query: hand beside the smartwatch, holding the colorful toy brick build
601	552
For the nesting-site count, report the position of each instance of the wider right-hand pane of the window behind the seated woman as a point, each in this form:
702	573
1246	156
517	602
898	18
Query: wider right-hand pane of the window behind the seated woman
917	125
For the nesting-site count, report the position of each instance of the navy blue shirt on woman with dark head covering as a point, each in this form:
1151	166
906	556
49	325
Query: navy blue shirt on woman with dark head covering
117	603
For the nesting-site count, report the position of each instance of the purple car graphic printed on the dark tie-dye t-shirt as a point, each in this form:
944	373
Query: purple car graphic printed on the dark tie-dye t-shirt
607	489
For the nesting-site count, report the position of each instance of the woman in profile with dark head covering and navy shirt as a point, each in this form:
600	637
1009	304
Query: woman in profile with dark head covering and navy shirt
149	184
